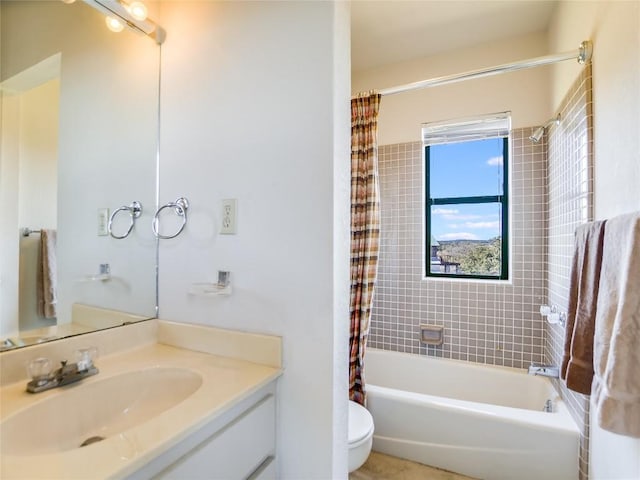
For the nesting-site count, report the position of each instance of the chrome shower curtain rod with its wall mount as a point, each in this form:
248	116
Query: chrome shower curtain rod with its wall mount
582	55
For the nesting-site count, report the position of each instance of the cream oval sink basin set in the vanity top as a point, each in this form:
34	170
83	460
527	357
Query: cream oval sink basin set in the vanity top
84	413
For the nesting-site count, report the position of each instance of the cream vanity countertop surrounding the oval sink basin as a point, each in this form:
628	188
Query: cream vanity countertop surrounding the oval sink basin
225	383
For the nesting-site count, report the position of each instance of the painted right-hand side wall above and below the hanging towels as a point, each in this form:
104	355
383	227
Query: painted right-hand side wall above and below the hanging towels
614	28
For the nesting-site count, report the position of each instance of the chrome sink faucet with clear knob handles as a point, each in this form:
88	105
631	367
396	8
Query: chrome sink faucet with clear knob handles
42	378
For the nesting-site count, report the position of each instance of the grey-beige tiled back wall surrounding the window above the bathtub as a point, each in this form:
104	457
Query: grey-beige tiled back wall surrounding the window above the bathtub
485	322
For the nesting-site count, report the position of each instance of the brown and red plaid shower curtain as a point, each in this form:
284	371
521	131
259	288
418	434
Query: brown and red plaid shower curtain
365	231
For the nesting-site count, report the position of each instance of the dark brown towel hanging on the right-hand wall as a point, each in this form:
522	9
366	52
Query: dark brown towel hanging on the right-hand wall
577	363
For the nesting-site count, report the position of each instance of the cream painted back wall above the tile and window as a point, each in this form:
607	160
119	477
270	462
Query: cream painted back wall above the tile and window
524	93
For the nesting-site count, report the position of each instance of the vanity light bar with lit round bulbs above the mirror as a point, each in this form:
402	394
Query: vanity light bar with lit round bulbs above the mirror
121	14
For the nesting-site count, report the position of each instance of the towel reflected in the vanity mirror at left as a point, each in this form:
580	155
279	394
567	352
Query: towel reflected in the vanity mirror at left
47	275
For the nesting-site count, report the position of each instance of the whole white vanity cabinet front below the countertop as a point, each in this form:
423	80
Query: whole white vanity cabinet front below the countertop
239	444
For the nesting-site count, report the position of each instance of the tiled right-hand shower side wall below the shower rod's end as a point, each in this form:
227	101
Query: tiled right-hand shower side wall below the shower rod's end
570	185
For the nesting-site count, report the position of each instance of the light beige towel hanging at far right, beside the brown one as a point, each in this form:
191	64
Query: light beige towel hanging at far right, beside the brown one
616	355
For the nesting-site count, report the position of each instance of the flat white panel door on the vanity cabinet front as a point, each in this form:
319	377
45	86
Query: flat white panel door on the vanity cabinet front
234	452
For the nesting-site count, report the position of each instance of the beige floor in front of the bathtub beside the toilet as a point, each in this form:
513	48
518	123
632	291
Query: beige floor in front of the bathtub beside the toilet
385	467
